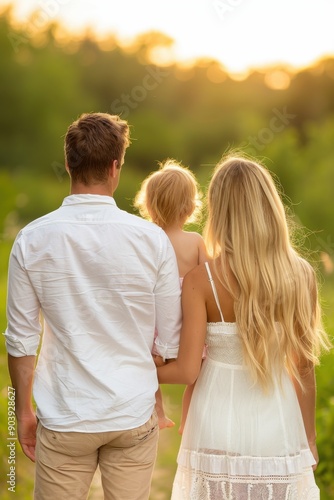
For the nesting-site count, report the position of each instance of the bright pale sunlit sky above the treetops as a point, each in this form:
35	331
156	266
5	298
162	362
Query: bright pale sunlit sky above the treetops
240	34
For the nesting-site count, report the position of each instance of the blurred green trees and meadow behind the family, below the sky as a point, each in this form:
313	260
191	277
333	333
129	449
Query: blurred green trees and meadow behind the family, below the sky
193	114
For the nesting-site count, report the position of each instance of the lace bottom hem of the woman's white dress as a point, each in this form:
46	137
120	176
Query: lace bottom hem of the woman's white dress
201	486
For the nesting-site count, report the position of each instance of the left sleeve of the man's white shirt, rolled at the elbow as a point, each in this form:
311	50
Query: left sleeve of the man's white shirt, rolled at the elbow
23	309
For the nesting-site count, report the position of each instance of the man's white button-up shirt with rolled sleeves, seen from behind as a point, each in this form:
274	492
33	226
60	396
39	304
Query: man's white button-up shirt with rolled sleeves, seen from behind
103	281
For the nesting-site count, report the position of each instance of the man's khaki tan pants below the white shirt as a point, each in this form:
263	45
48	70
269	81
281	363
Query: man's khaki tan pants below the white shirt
66	462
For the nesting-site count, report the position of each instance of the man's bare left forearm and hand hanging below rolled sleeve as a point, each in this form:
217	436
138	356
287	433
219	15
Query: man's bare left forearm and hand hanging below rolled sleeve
21	372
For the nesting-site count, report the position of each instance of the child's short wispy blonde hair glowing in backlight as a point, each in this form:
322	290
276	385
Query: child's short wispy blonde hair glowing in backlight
169	195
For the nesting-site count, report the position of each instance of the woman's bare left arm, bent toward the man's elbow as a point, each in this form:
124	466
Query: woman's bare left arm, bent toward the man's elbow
185	369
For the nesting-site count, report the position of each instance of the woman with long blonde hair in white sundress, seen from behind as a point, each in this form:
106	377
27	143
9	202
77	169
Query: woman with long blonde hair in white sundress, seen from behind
250	431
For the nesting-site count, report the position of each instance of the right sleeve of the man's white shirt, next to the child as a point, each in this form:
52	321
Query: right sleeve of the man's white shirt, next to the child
168	304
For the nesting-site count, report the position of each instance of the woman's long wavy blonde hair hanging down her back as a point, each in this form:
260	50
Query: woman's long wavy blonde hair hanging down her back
276	301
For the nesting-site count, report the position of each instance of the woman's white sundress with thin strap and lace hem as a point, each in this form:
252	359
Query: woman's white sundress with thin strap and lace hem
240	443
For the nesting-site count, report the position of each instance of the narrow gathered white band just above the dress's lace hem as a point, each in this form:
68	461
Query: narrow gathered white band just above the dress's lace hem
219	462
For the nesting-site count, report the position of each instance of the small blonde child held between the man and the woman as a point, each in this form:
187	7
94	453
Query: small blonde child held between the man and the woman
170	197
